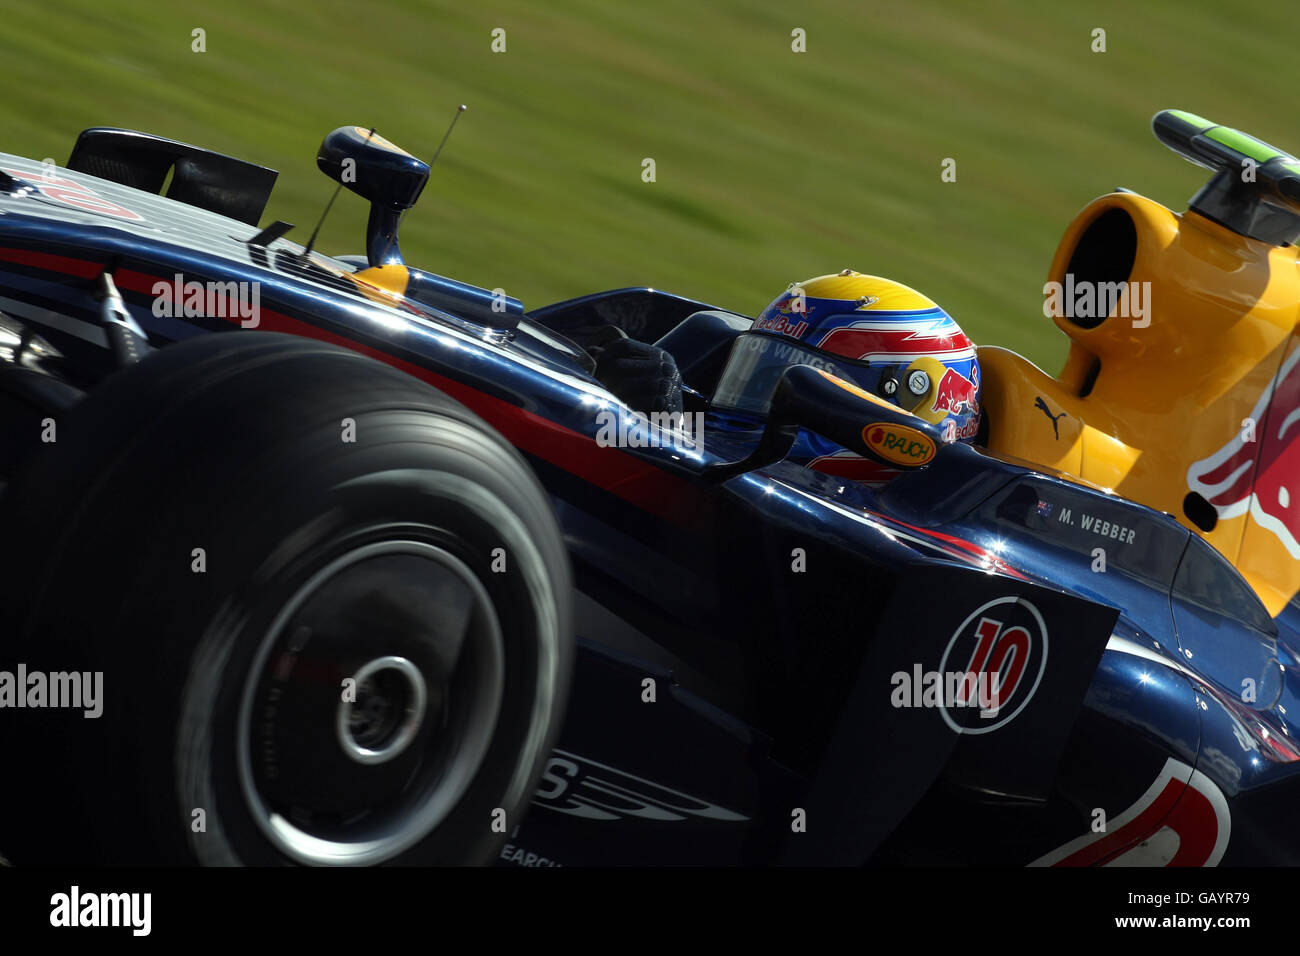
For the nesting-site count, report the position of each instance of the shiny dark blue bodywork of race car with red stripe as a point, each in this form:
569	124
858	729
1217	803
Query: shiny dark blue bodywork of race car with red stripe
739	639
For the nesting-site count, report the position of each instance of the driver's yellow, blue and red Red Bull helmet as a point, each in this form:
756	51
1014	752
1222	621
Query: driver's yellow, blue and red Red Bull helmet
873	332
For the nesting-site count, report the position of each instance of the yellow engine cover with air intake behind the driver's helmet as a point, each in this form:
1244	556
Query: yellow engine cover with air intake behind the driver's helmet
1198	395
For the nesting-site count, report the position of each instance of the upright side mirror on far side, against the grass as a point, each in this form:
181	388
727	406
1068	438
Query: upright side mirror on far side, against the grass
385	175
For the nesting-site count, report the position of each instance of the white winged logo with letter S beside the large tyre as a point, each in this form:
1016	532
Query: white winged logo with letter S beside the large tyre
582	788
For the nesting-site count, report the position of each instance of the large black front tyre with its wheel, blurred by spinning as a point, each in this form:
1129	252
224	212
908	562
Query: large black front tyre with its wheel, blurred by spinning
330	608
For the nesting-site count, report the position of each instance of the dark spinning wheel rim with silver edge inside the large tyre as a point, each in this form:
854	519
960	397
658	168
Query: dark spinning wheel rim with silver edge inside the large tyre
358	773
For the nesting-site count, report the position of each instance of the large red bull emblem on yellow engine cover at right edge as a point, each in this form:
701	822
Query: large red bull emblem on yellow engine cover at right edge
1268	443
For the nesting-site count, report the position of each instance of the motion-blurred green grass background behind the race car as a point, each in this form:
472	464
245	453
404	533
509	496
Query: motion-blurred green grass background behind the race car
772	166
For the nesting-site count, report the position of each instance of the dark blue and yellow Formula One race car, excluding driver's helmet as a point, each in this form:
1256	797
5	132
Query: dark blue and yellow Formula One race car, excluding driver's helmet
397	561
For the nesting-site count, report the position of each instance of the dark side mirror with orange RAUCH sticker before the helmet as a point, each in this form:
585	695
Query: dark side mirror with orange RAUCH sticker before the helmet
835	409
